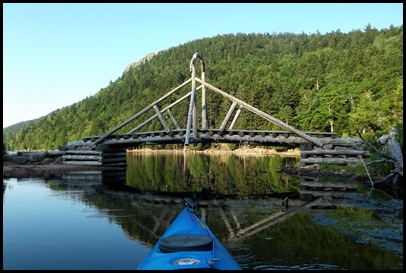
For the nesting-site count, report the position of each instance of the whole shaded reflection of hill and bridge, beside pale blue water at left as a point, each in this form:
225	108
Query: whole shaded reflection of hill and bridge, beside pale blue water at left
265	218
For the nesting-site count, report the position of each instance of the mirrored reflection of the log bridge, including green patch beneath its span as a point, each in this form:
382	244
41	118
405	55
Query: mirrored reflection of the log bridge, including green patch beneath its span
238	196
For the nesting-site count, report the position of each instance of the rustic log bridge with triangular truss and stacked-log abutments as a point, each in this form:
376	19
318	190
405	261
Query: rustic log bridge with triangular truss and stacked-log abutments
110	148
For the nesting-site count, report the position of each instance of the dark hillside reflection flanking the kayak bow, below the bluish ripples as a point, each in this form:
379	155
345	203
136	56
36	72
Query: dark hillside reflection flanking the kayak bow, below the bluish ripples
258	233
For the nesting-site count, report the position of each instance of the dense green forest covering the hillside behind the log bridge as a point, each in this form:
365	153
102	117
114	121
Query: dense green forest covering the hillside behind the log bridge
335	82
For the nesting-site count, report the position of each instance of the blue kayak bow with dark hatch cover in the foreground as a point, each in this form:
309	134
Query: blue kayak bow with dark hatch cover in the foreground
188	243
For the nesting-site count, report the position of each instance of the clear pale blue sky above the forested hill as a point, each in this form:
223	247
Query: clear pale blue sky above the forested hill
55	55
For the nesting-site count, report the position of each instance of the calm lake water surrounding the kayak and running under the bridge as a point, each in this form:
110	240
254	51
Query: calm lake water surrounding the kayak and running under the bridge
110	221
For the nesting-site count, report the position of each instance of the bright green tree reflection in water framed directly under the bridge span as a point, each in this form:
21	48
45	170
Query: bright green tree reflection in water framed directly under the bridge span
226	174
